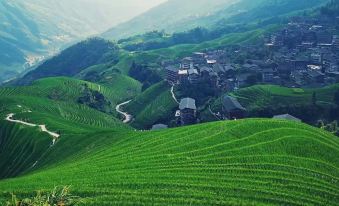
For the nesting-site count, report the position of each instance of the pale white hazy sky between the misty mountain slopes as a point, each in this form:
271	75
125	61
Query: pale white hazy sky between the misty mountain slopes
99	14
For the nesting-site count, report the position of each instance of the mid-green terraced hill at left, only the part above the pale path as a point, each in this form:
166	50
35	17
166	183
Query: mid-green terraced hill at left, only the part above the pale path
53	101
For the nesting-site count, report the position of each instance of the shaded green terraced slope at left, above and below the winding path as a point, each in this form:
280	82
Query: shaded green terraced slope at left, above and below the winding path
51	102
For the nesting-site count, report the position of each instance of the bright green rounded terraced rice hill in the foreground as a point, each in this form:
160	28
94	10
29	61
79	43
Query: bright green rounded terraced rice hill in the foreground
248	162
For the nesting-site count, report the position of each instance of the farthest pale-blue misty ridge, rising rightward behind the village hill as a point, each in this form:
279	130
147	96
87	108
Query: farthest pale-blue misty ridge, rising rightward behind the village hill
182	15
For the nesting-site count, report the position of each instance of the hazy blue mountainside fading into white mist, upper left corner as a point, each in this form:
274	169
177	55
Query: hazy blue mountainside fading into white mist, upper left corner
32	29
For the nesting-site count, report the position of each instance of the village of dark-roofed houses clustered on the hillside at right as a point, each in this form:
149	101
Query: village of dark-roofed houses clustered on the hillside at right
305	53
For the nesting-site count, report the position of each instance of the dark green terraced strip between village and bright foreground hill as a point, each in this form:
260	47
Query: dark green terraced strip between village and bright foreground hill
312	105
